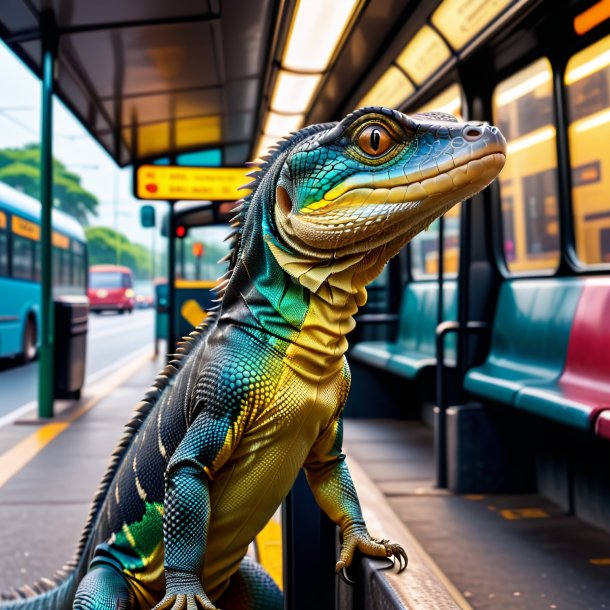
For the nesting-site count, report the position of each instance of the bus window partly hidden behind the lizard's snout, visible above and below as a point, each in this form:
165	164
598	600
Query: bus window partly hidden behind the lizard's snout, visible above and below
424	246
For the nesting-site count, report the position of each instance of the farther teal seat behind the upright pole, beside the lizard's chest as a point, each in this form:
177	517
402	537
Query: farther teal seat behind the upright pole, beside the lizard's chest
415	345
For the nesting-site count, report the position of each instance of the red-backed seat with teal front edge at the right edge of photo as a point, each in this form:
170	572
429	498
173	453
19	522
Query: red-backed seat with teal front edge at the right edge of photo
583	390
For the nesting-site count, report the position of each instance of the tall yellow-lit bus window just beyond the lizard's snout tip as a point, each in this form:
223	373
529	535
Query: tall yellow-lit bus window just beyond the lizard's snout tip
523	110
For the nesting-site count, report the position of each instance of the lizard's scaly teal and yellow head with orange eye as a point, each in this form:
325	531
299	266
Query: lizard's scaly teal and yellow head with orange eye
380	176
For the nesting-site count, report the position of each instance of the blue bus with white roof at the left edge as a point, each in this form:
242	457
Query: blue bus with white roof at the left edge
20	269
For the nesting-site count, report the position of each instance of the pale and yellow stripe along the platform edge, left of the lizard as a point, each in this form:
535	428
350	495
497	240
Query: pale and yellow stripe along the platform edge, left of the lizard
16	458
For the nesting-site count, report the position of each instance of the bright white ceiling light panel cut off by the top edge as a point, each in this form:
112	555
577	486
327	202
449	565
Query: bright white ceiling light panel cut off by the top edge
317	28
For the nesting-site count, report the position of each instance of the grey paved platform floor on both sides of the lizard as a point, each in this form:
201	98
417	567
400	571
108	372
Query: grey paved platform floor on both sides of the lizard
464	551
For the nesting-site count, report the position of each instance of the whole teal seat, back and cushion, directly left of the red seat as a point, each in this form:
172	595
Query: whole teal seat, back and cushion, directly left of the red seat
529	340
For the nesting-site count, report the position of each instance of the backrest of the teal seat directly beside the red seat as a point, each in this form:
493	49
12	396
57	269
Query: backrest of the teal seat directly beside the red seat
532	325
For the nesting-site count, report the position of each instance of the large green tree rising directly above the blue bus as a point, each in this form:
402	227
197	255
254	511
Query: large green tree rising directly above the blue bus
20	168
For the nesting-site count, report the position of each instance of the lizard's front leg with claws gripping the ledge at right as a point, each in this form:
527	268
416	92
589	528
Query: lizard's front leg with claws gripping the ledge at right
331	483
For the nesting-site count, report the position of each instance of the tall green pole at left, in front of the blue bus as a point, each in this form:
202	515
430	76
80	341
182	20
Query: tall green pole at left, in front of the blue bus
46	364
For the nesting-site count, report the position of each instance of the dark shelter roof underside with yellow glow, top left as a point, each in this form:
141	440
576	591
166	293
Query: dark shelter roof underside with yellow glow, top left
155	77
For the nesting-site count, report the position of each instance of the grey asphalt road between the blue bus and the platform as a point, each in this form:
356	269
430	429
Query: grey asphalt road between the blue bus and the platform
111	338
